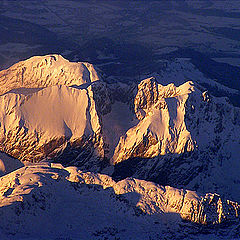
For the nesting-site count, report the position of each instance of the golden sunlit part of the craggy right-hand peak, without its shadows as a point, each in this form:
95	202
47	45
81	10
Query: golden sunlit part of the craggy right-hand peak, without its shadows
161	128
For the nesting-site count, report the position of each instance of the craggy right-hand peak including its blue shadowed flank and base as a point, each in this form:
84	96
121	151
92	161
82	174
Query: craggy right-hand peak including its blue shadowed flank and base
185	137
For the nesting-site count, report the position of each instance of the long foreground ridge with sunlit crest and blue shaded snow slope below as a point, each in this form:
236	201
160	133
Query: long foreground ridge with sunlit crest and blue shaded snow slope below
43	201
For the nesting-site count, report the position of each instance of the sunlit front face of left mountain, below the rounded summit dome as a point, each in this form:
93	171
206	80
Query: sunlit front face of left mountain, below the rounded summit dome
39	125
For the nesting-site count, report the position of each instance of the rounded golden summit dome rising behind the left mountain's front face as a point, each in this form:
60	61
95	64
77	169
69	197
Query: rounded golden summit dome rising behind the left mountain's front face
44	71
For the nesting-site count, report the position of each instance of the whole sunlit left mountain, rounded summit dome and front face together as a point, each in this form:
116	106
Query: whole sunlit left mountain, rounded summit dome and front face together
46	106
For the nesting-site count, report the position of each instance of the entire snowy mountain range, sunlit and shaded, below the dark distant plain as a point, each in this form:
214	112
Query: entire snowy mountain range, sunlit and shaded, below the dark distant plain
83	157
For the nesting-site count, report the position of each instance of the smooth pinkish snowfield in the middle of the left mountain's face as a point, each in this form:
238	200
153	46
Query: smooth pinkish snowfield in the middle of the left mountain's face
62	112
